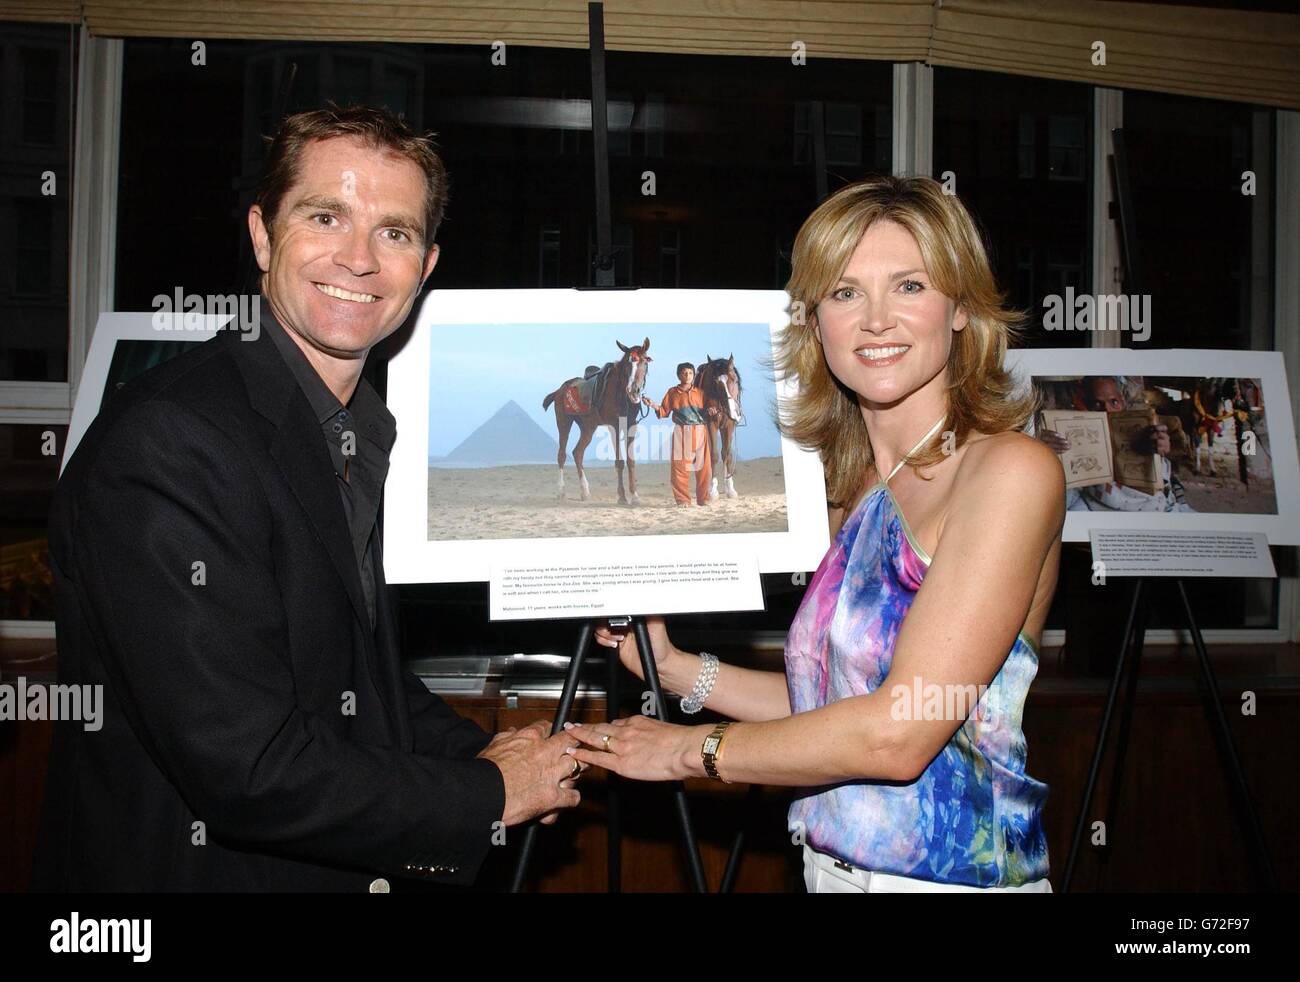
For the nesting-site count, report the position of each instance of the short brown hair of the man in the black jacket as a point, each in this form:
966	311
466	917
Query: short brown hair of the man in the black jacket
376	128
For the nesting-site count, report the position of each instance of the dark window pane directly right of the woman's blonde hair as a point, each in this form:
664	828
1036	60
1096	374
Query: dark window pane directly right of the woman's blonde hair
1019	152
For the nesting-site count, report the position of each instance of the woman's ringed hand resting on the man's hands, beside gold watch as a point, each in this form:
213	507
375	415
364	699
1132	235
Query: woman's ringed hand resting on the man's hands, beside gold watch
642	749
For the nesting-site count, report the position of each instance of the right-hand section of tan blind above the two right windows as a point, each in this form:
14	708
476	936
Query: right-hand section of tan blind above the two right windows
1233	55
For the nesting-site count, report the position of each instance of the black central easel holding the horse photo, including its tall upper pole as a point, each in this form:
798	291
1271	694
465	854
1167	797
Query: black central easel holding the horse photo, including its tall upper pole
603	275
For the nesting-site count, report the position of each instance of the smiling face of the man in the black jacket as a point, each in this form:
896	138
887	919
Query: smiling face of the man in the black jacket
348	258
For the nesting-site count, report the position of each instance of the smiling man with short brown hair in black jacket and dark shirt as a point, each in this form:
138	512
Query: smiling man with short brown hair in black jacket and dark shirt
219	570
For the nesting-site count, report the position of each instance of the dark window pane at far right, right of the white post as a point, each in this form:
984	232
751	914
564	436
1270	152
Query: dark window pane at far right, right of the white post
1203	194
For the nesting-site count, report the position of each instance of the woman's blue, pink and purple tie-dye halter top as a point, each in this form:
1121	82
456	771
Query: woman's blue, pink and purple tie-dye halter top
974	816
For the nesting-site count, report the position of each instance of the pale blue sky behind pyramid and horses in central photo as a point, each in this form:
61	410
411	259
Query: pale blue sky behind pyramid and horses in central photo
478	369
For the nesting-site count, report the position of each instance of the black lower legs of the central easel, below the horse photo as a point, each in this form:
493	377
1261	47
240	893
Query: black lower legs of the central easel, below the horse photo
562	713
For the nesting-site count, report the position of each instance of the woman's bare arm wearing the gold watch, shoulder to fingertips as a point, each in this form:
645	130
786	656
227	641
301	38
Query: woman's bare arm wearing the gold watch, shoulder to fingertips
1003	521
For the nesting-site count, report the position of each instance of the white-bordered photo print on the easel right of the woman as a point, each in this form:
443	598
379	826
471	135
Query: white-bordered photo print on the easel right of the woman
1168	439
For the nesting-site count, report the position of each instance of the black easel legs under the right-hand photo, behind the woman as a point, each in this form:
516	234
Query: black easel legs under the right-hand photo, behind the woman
1134	638
